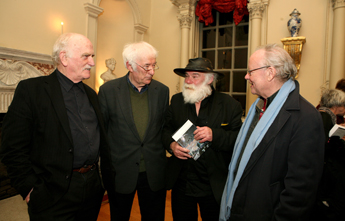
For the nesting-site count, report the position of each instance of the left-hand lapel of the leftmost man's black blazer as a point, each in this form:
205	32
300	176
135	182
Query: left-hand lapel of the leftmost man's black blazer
53	88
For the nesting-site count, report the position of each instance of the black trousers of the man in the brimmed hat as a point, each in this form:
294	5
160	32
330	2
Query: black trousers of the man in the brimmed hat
185	208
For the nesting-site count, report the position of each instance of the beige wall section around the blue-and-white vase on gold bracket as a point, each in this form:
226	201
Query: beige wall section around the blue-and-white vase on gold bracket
314	25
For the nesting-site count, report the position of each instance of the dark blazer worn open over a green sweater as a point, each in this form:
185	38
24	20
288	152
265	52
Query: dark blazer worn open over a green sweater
124	141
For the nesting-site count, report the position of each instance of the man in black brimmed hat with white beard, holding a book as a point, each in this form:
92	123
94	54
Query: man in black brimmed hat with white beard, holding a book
217	117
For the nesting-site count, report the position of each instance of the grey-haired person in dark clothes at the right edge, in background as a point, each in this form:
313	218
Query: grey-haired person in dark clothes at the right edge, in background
330	203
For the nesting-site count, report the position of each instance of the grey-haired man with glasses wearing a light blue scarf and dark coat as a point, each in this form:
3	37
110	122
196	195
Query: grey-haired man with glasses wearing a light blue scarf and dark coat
278	155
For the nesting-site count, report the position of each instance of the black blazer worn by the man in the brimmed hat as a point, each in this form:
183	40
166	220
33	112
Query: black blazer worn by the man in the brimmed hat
225	122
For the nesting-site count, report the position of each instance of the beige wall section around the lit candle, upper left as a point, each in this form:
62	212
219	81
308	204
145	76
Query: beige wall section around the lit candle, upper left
35	25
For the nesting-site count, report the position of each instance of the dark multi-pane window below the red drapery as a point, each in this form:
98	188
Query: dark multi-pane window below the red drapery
226	45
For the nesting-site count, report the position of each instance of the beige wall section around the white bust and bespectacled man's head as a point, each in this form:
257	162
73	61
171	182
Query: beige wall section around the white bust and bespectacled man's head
116	28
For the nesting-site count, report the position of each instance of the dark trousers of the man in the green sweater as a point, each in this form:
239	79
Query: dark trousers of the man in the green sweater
151	203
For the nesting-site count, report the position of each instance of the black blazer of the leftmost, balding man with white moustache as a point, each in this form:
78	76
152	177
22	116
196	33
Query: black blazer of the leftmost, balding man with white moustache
37	145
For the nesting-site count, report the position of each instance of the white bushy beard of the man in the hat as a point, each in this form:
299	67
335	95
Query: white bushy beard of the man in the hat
193	94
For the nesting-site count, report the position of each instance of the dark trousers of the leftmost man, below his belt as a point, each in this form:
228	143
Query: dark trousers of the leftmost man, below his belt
81	202
